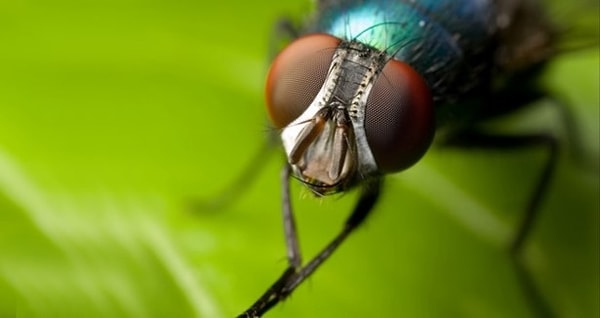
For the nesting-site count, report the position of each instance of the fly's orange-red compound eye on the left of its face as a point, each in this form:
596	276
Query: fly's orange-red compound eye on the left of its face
297	75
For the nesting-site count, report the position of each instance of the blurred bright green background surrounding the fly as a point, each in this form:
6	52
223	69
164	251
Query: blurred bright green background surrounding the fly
116	115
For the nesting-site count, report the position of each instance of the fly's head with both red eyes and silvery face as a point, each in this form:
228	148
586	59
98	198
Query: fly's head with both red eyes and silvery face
347	112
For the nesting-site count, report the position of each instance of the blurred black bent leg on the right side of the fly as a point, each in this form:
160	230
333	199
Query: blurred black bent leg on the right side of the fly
475	139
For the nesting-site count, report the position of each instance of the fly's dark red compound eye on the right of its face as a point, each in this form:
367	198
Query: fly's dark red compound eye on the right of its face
399	122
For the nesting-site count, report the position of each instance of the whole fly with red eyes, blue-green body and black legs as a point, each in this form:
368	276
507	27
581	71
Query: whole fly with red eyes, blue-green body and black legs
363	91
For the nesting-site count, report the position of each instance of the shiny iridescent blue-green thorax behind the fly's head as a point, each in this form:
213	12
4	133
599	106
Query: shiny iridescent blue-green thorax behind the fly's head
445	41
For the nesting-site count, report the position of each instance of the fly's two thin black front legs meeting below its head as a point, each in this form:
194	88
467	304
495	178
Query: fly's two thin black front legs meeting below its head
294	275
